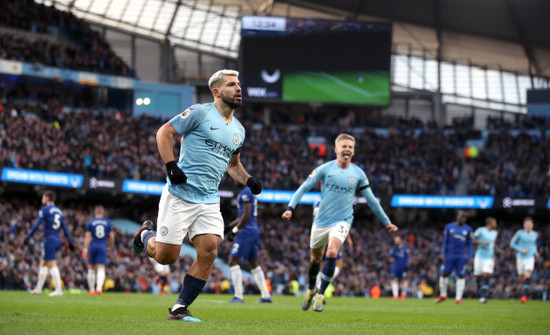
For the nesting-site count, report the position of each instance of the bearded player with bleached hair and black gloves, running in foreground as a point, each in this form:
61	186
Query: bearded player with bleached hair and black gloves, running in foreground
190	202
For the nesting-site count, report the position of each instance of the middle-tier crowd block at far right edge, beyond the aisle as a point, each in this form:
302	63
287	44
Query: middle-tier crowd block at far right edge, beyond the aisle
513	164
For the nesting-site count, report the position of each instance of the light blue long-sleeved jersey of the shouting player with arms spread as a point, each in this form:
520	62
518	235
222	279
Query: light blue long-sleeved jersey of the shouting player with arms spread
338	188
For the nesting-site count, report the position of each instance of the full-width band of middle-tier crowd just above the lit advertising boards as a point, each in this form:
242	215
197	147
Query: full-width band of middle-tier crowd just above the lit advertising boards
406	157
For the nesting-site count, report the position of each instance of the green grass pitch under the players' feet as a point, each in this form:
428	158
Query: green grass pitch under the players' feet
119	313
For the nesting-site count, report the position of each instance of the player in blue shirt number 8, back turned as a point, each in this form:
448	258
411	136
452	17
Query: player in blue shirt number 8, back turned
99	233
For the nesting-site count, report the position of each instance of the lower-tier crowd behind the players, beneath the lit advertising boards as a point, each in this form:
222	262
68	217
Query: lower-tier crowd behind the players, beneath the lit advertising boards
284	256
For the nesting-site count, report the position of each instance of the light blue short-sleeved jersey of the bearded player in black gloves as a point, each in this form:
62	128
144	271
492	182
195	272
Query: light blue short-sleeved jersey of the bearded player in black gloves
207	145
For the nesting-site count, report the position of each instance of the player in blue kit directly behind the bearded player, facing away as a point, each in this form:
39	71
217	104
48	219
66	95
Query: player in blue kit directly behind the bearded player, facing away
246	246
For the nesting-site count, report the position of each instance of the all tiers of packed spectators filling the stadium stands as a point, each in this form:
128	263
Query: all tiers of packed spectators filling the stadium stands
48	125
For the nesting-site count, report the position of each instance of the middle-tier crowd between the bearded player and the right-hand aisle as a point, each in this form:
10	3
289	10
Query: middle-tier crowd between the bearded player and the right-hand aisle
396	161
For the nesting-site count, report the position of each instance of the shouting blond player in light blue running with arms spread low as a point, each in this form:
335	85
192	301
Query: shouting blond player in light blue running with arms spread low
340	180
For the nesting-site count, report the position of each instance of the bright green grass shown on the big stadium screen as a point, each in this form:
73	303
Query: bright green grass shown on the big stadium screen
370	87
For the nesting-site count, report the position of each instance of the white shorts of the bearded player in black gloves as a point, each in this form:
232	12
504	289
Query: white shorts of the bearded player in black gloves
178	218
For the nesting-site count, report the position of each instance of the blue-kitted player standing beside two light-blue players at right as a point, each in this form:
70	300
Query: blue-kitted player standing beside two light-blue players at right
457	252
